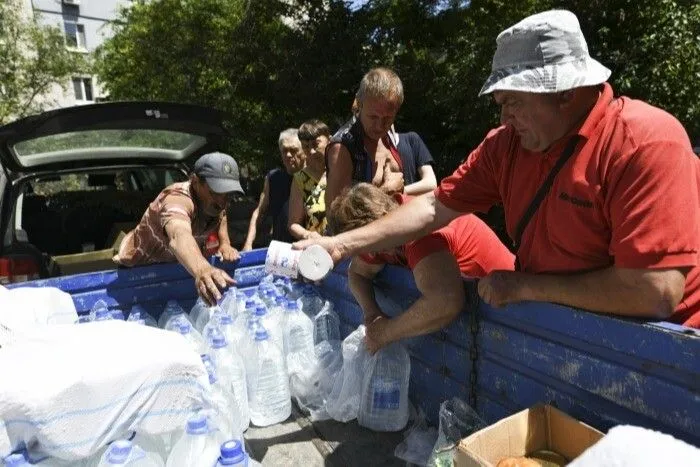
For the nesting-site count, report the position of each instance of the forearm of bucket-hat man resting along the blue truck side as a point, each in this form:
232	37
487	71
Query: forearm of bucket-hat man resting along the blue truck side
610	290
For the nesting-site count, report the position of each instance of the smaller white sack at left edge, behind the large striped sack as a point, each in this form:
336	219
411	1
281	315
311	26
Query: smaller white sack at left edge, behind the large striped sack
27	308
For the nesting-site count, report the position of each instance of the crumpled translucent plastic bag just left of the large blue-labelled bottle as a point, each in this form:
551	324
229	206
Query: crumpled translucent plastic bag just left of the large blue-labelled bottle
344	401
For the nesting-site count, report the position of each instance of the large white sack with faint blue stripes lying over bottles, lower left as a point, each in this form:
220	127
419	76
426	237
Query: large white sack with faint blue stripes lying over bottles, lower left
66	391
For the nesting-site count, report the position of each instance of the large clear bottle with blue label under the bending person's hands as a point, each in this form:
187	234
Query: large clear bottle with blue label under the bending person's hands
384	399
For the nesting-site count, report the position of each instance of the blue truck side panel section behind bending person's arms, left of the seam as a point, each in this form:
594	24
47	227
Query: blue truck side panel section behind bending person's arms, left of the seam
440	366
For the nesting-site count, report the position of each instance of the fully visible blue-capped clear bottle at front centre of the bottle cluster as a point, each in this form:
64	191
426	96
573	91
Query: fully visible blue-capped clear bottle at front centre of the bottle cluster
268	384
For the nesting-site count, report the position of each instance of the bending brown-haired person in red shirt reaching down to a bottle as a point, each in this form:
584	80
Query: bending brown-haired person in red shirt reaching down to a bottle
465	247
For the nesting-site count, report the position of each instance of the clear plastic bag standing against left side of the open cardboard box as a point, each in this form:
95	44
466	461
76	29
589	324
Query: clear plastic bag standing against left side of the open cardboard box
457	420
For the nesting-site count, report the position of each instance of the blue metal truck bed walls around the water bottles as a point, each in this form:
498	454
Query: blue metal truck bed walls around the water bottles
600	369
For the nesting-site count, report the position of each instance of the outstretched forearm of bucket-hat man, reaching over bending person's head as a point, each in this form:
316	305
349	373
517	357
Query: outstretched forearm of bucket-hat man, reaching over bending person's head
409	221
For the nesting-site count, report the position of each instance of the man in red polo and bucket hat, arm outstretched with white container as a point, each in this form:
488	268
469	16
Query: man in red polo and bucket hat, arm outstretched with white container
617	232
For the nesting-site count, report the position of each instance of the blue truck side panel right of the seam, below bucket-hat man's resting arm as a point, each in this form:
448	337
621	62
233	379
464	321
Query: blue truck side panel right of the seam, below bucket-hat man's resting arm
601	369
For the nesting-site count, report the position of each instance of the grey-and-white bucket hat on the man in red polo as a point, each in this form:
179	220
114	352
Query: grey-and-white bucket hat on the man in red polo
543	53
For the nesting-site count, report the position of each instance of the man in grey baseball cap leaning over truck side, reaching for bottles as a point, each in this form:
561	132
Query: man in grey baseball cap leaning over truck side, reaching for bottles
187	221
